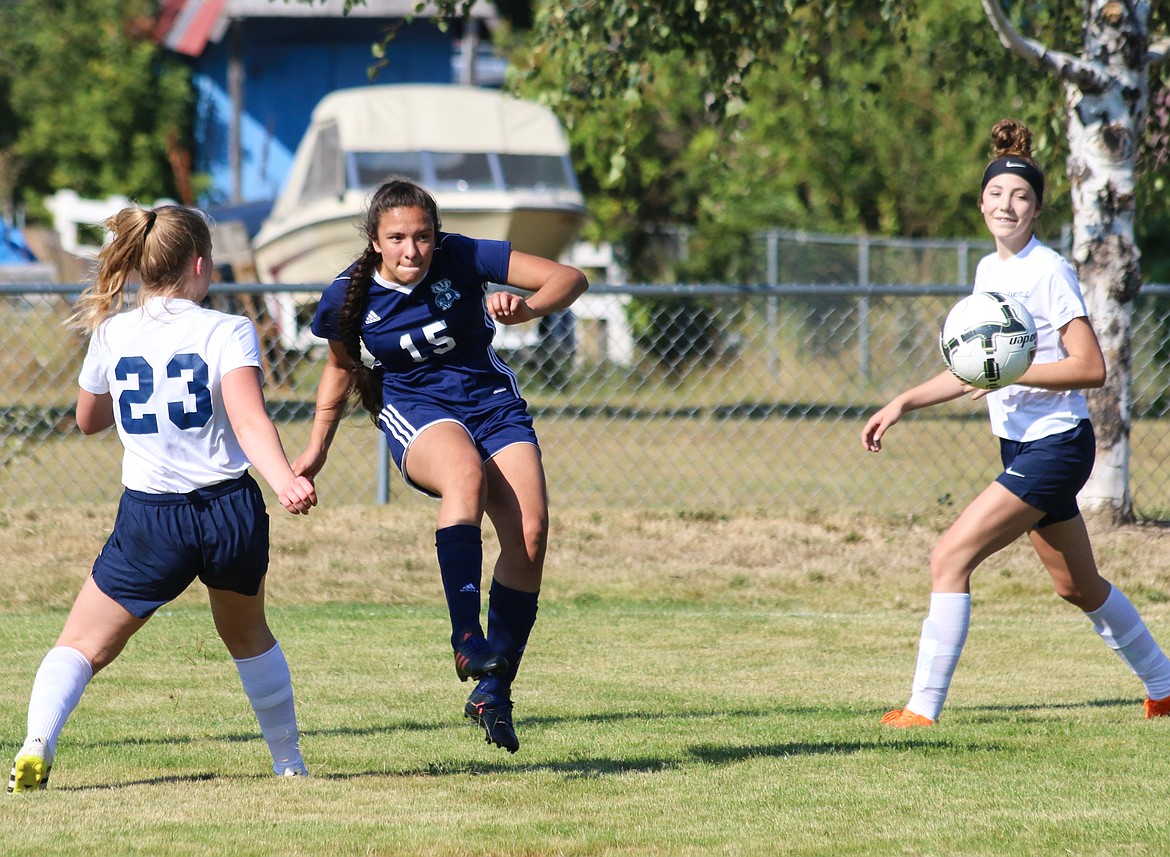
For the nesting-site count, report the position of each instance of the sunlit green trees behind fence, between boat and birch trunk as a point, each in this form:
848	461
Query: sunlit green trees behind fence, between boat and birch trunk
882	129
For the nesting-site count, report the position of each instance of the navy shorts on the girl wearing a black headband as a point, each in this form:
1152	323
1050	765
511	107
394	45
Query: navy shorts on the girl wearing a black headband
1049	474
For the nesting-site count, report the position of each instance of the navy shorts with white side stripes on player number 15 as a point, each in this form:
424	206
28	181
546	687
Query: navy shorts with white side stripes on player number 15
491	429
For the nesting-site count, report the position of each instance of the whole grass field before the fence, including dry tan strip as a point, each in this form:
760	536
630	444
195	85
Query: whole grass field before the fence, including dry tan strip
698	683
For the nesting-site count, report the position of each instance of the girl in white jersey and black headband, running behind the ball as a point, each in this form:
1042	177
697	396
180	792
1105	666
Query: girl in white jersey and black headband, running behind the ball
1047	448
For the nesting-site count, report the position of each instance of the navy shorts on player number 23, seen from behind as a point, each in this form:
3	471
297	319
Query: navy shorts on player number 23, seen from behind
162	543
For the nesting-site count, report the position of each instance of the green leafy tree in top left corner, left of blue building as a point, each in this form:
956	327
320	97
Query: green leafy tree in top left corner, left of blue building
91	102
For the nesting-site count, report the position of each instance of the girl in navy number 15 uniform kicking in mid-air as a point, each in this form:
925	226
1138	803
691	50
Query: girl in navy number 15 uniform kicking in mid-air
451	413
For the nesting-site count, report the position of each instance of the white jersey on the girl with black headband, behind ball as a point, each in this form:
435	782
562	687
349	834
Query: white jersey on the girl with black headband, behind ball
1047	284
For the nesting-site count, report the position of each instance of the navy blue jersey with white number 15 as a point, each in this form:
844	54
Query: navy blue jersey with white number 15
433	339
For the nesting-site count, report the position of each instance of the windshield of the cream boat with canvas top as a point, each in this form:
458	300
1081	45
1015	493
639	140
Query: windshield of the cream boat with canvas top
464	172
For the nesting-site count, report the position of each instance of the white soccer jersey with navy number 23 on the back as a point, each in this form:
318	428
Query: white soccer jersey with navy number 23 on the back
163	364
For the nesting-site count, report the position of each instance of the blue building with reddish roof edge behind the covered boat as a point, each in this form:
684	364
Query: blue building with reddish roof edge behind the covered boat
261	66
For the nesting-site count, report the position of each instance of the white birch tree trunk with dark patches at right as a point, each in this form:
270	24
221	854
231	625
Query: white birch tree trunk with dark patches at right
1106	95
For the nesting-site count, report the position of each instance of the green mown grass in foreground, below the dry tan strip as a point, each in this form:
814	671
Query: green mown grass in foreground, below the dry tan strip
684	728
